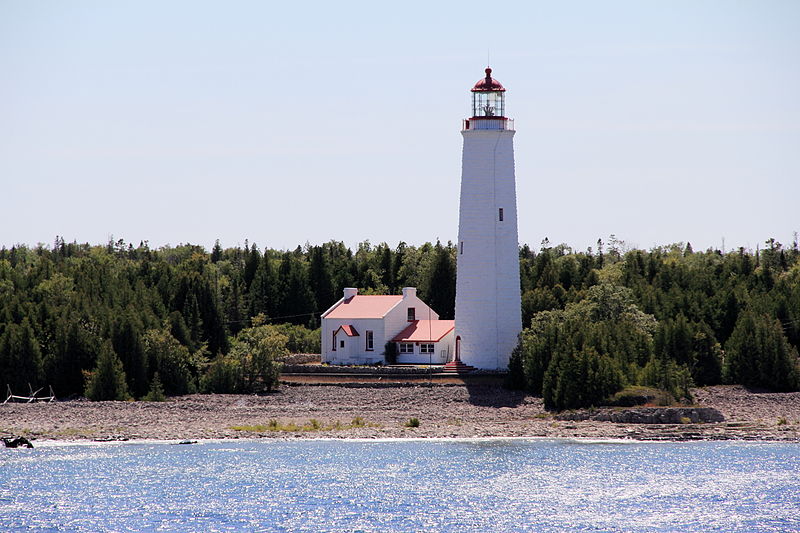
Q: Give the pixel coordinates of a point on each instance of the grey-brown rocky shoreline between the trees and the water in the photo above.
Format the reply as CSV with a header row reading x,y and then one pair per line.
x,y
386,411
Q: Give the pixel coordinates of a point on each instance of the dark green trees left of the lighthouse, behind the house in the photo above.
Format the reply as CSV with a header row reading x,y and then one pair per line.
x,y
119,321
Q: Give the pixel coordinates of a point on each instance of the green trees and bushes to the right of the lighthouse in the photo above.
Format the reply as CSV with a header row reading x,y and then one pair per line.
x,y
668,318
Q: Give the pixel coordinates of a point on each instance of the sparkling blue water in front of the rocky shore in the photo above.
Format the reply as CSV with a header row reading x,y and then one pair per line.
x,y
445,485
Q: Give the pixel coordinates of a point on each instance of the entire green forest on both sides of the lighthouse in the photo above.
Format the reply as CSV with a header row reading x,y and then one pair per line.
x,y
119,320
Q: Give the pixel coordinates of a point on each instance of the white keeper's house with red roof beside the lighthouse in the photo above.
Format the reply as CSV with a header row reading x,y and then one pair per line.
x,y
356,329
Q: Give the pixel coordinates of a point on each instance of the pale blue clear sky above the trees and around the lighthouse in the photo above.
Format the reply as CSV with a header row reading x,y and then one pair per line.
x,y
287,123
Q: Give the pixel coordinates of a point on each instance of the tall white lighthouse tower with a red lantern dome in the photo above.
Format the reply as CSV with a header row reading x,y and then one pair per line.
x,y
488,305
